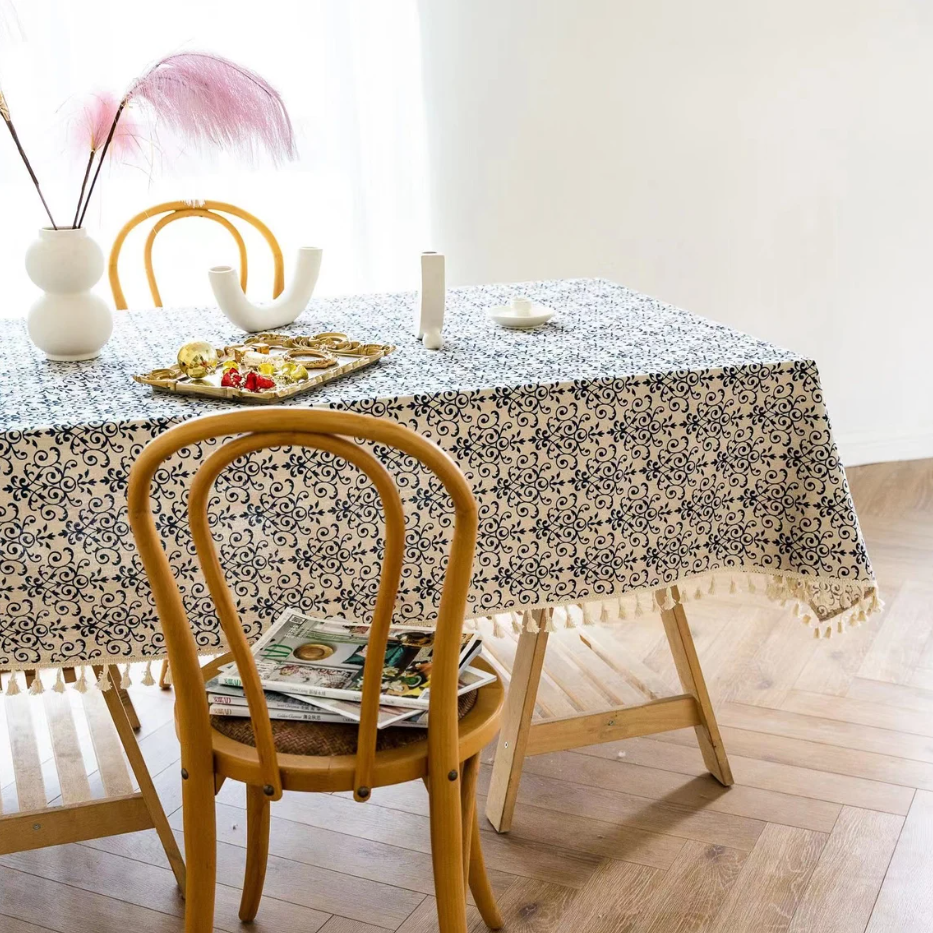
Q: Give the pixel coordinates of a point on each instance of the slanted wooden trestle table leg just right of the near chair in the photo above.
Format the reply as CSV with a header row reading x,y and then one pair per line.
x,y
516,724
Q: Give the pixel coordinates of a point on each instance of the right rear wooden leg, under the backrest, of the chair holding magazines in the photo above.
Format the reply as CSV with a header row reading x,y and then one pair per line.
x,y
447,853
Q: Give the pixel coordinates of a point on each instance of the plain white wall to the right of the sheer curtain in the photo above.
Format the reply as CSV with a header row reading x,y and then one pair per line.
x,y
766,164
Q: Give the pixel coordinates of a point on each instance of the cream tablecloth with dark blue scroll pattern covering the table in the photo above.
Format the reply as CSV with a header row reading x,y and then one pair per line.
x,y
626,445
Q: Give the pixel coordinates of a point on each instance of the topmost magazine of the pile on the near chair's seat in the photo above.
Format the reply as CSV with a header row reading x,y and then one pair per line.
x,y
322,658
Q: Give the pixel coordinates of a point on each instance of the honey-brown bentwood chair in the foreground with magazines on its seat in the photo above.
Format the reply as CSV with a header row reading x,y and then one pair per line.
x,y
270,757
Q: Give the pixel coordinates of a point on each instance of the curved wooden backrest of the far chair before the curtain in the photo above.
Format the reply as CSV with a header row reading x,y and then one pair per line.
x,y
176,210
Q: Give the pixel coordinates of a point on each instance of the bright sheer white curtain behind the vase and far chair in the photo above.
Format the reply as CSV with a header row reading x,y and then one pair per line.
x,y
350,73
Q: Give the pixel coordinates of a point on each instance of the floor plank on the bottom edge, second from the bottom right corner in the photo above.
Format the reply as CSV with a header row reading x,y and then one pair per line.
x,y
846,881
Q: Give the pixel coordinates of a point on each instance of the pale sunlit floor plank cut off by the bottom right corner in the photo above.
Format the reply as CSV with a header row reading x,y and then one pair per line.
x,y
905,902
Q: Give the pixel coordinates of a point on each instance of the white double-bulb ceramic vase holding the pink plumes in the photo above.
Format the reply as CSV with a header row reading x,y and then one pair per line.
x,y
68,322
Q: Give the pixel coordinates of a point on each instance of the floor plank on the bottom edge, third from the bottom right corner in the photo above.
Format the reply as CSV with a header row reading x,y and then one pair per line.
x,y
773,880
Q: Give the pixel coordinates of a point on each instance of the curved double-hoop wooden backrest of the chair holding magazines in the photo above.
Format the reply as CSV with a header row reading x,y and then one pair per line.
x,y
333,432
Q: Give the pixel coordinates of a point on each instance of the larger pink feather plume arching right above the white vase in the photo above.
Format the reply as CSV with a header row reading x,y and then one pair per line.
x,y
214,102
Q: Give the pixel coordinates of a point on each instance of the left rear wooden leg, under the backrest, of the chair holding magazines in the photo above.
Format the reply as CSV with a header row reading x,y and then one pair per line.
x,y
200,823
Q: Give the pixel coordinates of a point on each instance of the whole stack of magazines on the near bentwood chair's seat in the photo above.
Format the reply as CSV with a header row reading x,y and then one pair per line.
x,y
312,670
